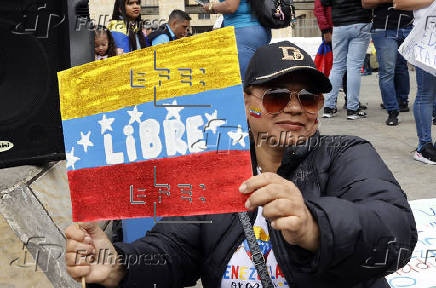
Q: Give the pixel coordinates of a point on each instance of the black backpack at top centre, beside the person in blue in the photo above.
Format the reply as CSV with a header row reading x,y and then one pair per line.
x,y
273,14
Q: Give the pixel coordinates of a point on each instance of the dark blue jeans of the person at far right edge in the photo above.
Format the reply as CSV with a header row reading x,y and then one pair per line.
x,y
423,108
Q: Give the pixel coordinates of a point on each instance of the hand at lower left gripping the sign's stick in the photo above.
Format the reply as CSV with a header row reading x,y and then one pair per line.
x,y
86,246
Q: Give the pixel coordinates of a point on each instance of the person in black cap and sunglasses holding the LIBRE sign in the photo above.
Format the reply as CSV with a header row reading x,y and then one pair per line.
x,y
325,210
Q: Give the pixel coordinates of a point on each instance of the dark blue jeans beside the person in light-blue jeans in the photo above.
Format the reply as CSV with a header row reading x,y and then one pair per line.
x,y
394,78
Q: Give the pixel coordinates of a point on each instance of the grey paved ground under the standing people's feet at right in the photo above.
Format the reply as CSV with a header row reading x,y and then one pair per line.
x,y
396,145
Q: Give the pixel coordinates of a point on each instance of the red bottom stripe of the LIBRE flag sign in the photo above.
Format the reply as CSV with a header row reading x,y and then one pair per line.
x,y
192,186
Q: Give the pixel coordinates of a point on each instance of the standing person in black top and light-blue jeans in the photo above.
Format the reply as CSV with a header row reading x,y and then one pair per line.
x,y
350,40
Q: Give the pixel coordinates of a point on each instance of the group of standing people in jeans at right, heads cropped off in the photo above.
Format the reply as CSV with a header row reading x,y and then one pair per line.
x,y
350,26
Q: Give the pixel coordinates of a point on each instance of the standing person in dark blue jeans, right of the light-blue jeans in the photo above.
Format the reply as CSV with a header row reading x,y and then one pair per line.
x,y
390,28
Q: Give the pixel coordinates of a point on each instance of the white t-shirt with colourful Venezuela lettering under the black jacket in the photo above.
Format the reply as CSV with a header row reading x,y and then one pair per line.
x,y
241,272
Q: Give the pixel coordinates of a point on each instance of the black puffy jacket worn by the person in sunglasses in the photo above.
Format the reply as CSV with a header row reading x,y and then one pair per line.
x,y
362,213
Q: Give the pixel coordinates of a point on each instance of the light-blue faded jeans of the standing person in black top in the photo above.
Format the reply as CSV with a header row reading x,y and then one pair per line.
x,y
349,49
